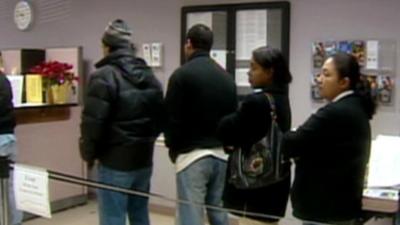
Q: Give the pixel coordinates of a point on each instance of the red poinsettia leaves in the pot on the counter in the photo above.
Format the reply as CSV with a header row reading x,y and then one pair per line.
x,y
55,72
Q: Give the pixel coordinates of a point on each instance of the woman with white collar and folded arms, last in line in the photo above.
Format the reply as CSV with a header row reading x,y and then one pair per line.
x,y
332,147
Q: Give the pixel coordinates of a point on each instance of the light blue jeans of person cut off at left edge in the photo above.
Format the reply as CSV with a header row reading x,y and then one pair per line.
x,y
8,147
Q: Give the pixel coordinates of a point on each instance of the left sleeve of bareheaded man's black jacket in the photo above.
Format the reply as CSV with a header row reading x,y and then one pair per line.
x,y
174,107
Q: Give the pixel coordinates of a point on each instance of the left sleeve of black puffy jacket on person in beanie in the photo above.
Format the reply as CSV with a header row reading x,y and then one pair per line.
x,y
96,110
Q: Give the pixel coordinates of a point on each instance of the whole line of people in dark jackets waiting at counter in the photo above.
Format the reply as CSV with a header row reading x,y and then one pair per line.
x,y
204,123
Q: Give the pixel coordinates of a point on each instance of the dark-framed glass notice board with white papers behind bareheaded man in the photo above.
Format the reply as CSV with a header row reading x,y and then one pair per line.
x,y
239,29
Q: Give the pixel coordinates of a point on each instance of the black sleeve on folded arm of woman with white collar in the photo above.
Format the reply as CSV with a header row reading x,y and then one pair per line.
x,y
297,143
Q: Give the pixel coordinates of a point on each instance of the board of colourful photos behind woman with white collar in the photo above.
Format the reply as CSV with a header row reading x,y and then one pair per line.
x,y
377,60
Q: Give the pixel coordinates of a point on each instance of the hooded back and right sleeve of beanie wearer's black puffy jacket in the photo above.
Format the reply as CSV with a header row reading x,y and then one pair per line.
x,y
135,119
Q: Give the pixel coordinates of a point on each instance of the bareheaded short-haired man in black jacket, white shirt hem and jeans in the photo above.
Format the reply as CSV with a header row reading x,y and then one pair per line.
x,y
199,94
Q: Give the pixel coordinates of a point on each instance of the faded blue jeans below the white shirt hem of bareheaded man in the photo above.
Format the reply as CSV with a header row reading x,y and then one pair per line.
x,y
202,182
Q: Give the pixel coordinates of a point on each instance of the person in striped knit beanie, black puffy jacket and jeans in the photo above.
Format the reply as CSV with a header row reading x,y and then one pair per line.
x,y
121,120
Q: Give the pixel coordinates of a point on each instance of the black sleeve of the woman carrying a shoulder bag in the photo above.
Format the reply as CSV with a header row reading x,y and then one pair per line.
x,y
243,126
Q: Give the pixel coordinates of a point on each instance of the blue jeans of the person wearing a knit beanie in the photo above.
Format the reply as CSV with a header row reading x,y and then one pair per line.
x,y
113,206
